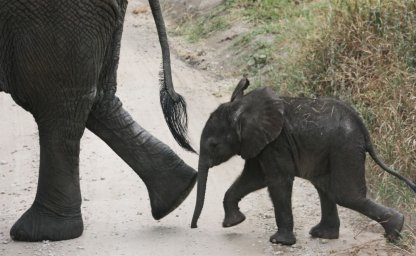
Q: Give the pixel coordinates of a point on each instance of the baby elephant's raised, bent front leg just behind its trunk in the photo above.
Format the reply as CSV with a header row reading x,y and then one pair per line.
x,y
251,179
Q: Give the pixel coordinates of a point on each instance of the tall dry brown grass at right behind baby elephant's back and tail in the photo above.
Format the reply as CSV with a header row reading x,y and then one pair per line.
x,y
367,56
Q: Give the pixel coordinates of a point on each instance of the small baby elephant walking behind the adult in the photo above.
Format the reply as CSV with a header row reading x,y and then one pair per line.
x,y
321,140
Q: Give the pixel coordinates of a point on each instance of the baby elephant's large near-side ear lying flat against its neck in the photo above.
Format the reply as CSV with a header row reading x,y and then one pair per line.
x,y
259,121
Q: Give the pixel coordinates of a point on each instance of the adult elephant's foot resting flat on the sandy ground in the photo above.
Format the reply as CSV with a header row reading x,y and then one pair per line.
x,y
39,223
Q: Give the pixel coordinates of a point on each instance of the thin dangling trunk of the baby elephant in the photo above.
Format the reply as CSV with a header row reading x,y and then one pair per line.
x,y
200,197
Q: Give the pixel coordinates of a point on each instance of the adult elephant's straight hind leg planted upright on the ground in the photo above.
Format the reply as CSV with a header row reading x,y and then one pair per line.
x,y
56,213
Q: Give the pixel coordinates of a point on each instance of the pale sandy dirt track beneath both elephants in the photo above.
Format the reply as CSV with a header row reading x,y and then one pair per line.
x,y
115,205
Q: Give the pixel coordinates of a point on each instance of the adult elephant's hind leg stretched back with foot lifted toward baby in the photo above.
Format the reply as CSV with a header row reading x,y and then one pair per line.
x,y
168,179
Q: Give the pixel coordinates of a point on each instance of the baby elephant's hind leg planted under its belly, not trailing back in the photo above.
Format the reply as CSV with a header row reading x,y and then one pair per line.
x,y
328,227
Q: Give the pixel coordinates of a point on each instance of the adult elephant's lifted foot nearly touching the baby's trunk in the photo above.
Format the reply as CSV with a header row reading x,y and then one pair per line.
x,y
169,189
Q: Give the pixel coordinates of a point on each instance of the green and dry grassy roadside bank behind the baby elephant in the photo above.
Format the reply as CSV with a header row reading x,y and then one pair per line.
x,y
360,51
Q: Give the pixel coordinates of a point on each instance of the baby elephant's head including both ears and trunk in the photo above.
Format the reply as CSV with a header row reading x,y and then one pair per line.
x,y
243,126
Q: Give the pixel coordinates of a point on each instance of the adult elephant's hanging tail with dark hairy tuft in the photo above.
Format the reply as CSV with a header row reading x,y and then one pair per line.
x,y
173,104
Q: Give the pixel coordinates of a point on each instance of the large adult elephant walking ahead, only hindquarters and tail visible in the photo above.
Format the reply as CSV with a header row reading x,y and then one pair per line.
x,y
58,60
